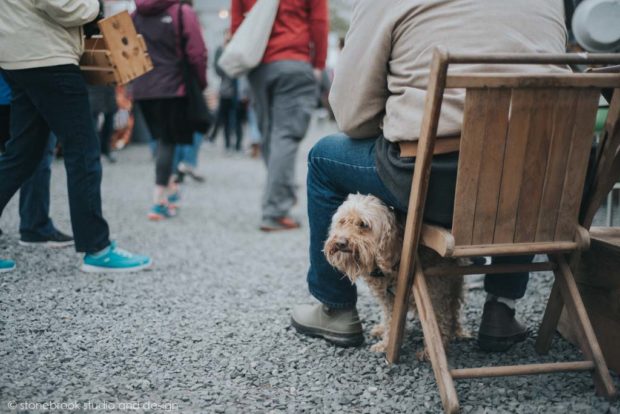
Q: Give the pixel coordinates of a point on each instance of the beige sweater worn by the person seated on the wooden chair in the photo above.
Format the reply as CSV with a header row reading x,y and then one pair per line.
x,y
382,73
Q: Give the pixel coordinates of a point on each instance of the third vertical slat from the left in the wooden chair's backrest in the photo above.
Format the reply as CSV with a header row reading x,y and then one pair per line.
x,y
514,166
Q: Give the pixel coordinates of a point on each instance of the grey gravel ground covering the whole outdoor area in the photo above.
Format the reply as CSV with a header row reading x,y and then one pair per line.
x,y
207,330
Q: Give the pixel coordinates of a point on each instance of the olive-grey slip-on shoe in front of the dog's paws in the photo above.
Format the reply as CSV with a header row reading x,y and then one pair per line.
x,y
341,327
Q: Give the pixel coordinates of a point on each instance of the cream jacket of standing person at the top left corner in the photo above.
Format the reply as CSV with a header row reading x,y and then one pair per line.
x,y
38,33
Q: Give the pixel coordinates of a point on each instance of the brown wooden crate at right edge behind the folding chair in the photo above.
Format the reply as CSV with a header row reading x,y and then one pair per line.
x,y
598,278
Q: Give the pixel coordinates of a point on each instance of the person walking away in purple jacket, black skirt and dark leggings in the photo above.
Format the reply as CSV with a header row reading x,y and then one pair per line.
x,y
160,93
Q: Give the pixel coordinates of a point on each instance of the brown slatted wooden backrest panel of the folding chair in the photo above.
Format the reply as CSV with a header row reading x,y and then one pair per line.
x,y
522,163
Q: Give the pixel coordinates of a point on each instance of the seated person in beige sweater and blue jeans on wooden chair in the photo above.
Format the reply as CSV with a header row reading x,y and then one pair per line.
x,y
378,99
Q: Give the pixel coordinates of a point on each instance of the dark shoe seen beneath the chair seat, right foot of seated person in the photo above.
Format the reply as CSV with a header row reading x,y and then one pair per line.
x,y
499,330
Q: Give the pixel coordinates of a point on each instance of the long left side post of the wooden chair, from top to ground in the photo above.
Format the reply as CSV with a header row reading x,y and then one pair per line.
x,y
417,199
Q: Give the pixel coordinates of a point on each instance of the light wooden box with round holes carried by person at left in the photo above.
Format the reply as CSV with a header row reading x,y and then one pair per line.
x,y
116,57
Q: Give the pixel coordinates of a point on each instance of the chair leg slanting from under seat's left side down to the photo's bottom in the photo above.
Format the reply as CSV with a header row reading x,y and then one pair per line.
x,y
433,342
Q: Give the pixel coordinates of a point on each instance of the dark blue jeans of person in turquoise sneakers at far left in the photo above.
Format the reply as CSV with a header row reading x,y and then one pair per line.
x,y
55,99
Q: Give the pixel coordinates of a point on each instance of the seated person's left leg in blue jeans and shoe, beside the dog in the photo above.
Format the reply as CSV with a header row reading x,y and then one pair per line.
x,y
337,166
